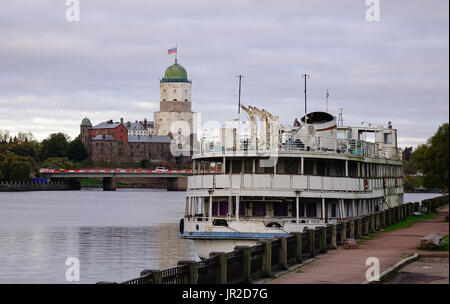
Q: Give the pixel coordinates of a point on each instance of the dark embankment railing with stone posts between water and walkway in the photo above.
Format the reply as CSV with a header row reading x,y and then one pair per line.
x,y
250,263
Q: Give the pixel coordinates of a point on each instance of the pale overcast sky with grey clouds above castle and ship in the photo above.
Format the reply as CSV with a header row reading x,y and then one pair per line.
x,y
108,65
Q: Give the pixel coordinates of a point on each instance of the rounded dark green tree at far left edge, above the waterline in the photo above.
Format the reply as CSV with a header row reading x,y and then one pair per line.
x,y
14,168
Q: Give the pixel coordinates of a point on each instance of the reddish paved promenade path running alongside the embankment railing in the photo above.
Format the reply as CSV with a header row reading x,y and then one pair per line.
x,y
347,266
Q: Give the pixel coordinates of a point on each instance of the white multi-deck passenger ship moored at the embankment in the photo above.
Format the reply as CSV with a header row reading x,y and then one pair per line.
x,y
258,179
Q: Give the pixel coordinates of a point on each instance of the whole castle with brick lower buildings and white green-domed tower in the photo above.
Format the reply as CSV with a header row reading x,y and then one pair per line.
x,y
171,130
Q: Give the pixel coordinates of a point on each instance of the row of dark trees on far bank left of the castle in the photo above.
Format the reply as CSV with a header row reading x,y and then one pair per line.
x,y
21,156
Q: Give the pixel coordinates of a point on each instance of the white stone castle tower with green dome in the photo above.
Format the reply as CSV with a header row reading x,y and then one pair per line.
x,y
175,115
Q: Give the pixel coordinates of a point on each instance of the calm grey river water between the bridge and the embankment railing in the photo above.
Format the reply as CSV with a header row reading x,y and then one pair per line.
x,y
114,235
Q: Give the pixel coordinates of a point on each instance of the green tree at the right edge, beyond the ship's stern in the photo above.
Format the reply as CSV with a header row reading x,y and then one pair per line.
x,y
432,159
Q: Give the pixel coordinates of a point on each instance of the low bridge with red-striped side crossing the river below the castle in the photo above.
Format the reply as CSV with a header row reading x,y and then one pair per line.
x,y
176,179
